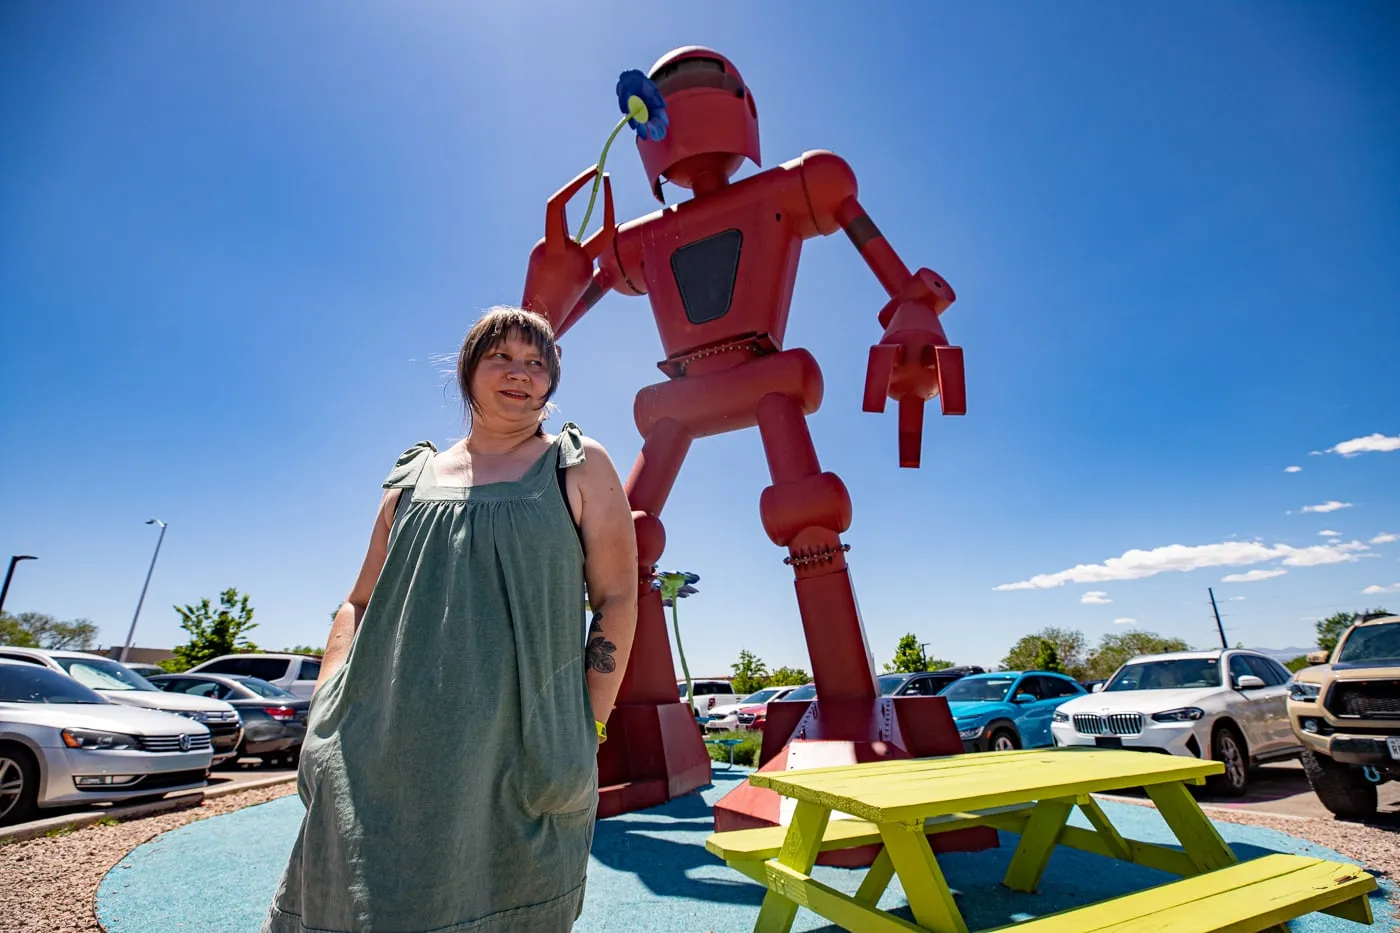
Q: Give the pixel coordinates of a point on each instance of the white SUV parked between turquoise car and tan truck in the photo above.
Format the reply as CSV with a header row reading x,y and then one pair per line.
x,y
1228,707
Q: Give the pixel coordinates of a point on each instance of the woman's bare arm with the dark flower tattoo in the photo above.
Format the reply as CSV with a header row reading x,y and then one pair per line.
x,y
611,571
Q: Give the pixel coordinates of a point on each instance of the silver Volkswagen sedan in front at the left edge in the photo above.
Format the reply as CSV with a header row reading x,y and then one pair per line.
x,y
62,745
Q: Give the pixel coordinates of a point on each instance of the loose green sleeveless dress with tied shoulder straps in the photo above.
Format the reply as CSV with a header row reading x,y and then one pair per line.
x,y
450,767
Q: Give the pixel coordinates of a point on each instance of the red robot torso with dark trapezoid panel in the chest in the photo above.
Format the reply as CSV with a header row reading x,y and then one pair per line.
x,y
719,277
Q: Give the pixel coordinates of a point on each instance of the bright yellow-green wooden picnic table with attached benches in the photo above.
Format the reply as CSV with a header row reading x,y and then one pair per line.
x,y
1032,794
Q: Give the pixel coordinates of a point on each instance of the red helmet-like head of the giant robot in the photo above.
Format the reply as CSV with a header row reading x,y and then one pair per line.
x,y
715,124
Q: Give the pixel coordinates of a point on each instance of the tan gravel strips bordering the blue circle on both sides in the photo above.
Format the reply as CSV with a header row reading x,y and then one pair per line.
x,y
50,885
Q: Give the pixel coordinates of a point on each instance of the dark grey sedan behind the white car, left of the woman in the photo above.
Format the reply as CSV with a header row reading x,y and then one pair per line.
x,y
275,722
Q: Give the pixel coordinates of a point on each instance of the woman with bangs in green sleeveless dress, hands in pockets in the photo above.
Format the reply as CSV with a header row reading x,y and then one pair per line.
x,y
450,766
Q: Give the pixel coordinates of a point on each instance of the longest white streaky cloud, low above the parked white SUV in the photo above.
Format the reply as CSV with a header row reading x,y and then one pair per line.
x,y
1136,565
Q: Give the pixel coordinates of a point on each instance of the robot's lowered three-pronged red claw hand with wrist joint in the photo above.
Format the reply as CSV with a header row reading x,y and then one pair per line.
x,y
913,361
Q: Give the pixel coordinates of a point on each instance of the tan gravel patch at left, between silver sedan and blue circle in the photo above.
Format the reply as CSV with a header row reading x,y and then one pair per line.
x,y
50,885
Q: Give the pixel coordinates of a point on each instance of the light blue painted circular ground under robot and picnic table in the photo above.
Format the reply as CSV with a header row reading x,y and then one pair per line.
x,y
650,872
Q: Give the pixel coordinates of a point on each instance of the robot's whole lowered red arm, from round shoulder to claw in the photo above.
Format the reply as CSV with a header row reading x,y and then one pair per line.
x,y
913,361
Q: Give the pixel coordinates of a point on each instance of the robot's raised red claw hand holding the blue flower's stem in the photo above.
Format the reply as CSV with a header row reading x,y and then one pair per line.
x,y
561,282
